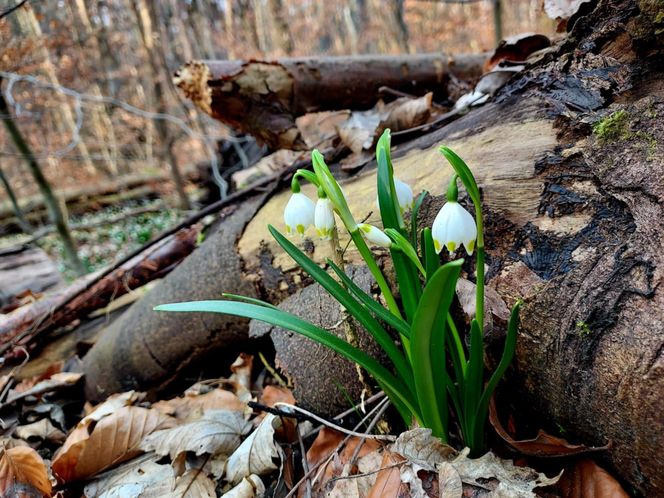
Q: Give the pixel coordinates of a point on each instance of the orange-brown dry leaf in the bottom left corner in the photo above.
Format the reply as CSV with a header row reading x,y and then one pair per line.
x,y
23,473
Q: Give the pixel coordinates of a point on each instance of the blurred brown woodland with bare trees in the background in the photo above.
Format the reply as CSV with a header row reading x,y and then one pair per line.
x,y
87,85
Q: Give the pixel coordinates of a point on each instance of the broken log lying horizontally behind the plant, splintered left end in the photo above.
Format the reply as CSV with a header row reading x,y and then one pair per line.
x,y
263,98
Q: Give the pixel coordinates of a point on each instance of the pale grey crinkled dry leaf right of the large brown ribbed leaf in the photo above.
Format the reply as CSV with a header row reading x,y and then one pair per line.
x,y
217,432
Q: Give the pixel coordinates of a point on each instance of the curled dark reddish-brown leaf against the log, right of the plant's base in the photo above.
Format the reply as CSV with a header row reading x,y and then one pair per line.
x,y
543,445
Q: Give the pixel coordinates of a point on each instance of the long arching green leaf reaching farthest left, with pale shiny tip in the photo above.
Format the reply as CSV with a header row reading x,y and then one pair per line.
x,y
393,387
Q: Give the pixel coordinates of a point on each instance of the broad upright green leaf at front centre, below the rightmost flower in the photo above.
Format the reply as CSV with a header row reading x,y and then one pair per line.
x,y
428,329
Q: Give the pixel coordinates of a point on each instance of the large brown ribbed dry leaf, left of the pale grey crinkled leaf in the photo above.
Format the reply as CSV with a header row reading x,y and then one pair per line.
x,y
114,439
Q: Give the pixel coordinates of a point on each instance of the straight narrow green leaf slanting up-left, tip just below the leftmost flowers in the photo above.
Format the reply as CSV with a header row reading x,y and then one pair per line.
x,y
347,301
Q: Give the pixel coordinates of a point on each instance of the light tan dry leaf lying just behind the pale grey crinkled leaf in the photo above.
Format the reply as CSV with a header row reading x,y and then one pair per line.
x,y
192,406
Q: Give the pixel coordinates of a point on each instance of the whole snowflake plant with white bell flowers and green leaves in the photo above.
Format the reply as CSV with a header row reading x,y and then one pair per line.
x,y
433,371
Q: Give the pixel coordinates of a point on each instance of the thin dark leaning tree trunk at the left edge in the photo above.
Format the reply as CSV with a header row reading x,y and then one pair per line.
x,y
55,212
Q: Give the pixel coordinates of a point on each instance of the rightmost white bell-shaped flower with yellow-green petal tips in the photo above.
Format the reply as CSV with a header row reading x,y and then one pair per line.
x,y
452,227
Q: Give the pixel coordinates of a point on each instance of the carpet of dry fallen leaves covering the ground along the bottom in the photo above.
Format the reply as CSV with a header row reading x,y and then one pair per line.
x,y
209,442
